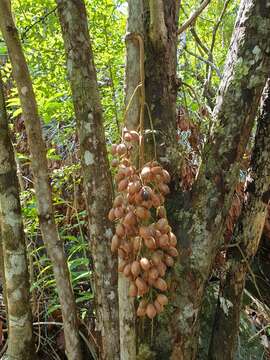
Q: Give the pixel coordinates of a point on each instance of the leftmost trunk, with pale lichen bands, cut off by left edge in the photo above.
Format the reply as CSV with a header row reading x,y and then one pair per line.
x,y
16,279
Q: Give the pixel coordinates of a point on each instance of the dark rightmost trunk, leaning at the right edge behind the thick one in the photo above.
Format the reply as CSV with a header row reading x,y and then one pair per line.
x,y
246,239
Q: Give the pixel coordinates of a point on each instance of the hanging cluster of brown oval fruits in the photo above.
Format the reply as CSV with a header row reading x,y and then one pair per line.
x,y
143,238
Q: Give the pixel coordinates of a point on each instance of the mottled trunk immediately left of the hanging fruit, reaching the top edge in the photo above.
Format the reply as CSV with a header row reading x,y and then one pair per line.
x,y
96,172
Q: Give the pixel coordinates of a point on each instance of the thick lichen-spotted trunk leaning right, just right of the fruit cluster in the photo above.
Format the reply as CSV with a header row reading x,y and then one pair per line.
x,y
203,214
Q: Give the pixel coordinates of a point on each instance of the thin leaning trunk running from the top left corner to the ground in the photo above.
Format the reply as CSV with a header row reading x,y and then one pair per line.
x,y
41,181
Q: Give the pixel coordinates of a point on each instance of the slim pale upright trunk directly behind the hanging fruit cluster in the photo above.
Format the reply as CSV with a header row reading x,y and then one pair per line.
x,y
132,102
